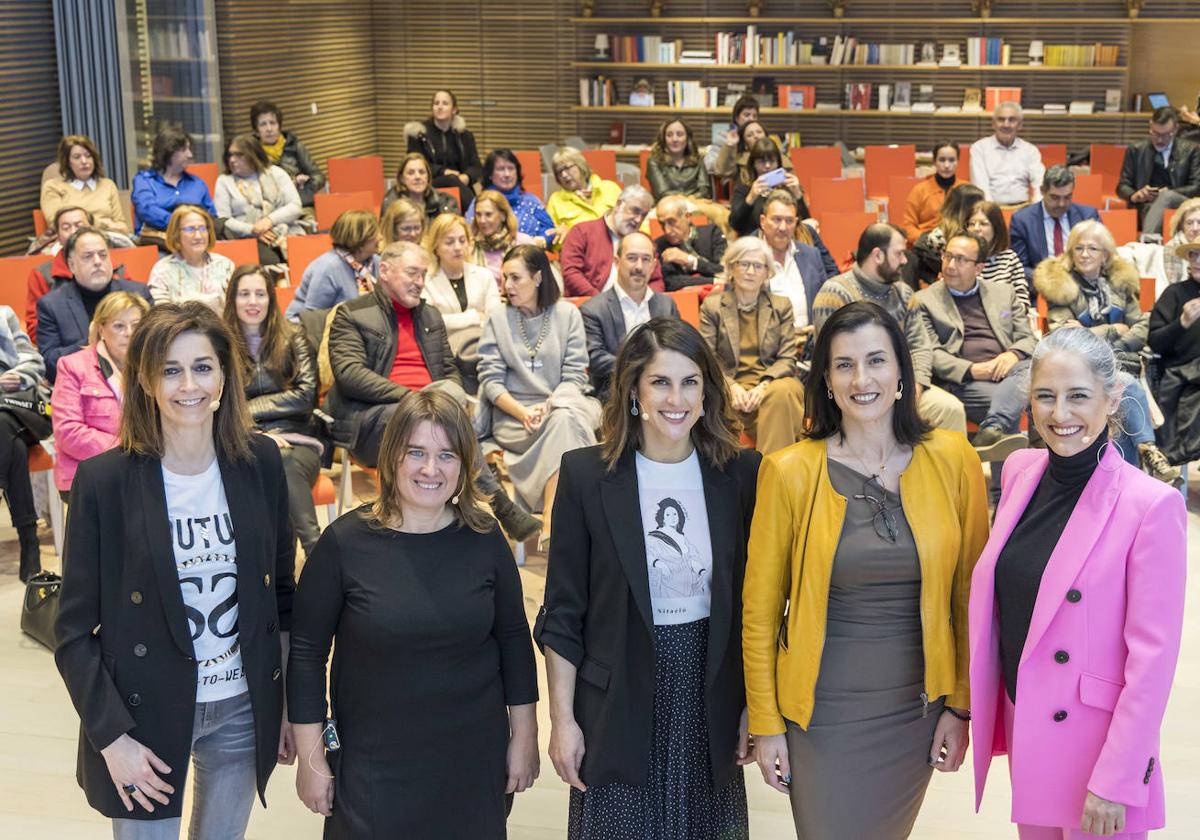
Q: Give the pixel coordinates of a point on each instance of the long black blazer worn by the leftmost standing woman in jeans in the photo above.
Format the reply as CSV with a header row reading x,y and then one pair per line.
x,y
124,640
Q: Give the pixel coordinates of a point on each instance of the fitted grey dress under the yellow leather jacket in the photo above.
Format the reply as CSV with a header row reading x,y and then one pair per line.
x,y
862,767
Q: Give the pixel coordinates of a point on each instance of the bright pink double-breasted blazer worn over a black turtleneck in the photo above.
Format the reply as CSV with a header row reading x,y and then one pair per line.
x,y
1112,599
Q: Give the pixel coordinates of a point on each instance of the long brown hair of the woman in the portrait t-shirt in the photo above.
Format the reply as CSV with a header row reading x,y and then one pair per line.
x,y
716,434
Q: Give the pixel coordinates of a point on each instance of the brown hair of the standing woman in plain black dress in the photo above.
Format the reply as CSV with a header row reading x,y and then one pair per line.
x,y
447,415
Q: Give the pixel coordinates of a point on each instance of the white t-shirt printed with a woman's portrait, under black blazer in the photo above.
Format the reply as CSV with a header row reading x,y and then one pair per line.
x,y
679,549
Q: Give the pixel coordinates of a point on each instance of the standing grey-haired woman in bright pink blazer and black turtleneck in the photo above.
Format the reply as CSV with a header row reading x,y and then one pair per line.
x,y
1076,613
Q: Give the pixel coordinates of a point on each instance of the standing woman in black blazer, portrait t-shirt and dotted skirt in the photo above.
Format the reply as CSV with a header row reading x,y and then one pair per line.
x,y
641,626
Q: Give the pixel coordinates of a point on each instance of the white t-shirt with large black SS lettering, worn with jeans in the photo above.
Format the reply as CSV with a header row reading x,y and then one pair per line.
x,y
206,560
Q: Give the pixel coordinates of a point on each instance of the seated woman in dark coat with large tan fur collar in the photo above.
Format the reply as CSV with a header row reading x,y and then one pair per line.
x,y
1090,286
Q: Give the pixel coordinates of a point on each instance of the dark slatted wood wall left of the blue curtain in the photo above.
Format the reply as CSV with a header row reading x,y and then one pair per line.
x,y
31,121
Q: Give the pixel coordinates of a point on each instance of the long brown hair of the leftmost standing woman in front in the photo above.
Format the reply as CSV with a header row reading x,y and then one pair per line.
x,y
141,422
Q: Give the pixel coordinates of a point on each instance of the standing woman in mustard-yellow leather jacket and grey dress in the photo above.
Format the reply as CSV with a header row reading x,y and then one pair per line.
x,y
855,608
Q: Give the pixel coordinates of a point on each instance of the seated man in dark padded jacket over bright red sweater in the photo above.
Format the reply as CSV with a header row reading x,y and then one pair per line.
x,y
387,344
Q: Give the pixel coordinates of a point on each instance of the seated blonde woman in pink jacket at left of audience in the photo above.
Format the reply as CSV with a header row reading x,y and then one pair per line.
x,y
89,389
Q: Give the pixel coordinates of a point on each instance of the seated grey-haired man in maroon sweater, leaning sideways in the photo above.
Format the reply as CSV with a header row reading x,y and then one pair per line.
x,y
589,251
